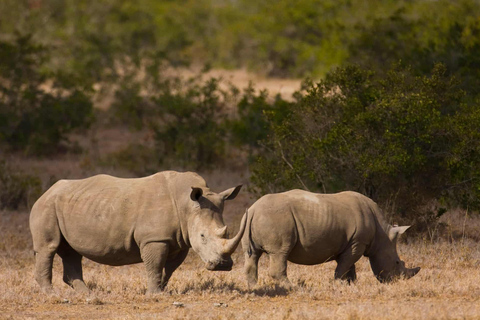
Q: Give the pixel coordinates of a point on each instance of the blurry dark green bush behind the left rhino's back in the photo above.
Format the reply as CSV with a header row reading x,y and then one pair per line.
x,y
186,117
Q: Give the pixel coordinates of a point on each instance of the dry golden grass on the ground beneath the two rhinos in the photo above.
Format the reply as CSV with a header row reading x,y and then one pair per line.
x,y
447,287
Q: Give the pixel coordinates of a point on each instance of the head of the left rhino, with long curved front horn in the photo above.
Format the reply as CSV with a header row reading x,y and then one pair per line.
x,y
207,231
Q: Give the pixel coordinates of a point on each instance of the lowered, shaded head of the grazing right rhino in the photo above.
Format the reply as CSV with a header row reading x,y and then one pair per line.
x,y
385,263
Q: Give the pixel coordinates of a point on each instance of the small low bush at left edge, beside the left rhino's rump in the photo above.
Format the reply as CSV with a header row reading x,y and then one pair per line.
x,y
16,188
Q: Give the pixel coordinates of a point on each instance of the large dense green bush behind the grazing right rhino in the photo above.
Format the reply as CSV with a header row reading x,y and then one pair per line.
x,y
398,138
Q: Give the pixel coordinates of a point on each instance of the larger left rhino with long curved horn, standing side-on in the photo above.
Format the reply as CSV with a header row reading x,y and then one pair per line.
x,y
117,222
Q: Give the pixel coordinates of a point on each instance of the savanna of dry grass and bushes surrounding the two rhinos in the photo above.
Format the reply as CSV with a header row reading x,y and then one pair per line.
x,y
380,97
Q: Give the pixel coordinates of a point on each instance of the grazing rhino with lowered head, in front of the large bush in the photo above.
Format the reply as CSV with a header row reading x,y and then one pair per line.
x,y
308,228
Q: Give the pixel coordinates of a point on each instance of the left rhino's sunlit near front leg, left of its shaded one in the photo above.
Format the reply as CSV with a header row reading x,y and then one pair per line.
x,y
154,256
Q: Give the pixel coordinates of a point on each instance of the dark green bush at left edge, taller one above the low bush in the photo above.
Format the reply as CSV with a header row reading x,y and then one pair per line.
x,y
37,110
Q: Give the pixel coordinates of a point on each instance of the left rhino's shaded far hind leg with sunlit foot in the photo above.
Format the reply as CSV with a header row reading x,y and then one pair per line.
x,y
72,268
